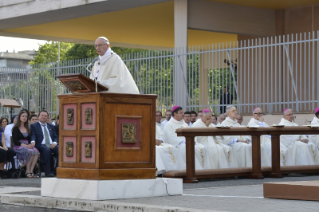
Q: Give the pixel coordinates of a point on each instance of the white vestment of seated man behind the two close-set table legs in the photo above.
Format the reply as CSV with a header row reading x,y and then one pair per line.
x,y
265,144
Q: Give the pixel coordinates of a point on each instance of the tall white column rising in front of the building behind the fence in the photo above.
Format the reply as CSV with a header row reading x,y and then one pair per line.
x,y
180,37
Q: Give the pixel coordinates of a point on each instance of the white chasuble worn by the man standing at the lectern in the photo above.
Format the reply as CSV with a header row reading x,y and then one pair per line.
x,y
114,75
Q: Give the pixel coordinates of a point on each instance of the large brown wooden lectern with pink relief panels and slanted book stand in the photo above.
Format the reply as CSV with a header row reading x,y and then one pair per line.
x,y
105,136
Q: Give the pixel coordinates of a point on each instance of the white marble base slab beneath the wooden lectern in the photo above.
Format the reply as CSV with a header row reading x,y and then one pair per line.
x,y
110,189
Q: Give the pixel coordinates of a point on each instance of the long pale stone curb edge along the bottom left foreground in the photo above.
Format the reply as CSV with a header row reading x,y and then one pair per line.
x,y
82,205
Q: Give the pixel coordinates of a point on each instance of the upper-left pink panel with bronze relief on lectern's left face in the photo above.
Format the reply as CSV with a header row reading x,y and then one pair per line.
x,y
69,116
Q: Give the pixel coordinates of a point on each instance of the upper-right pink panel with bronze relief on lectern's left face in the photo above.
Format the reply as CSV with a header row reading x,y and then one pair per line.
x,y
88,116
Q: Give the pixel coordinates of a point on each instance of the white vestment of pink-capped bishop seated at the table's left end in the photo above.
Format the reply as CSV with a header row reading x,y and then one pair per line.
x,y
170,136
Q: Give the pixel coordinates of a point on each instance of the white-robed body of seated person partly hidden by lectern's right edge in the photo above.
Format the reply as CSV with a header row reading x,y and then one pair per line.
x,y
168,157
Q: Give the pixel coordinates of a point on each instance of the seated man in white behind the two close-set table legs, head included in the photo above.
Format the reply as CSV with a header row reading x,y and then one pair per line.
x,y
265,140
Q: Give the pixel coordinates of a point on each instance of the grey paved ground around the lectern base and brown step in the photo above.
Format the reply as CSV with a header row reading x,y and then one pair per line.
x,y
214,195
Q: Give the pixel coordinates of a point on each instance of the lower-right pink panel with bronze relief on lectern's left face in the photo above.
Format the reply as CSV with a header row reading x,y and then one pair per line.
x,y
88,146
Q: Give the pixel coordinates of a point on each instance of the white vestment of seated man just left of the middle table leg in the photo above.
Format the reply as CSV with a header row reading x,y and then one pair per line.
x,y
242,151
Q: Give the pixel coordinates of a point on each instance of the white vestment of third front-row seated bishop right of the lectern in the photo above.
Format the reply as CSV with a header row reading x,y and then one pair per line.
x,y
220,155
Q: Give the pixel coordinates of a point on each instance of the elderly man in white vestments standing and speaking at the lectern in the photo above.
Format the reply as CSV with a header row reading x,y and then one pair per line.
x,y
110,71
